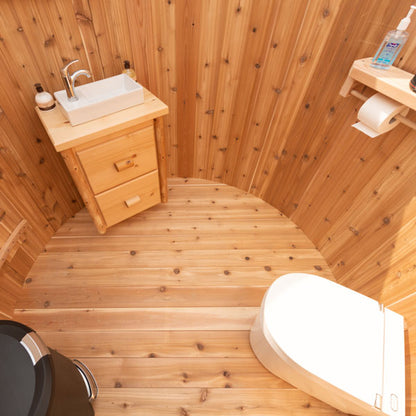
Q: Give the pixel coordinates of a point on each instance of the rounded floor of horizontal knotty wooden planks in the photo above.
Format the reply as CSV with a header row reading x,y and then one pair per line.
x,y
160,307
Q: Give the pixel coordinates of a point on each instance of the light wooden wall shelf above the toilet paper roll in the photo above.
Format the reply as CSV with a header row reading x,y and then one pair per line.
x,y
393,83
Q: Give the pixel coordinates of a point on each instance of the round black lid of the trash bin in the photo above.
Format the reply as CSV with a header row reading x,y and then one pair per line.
x,y
25,383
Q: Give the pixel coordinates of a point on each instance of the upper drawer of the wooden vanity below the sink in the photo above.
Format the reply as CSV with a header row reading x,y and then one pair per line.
x,y
119,160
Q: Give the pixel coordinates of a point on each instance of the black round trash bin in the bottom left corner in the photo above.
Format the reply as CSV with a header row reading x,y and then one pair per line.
x,y
36,381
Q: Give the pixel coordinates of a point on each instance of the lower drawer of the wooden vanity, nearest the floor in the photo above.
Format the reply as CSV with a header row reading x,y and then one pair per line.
x,y
130,198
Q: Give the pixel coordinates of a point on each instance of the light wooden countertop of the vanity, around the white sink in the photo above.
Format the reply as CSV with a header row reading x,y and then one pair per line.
x,y
64,136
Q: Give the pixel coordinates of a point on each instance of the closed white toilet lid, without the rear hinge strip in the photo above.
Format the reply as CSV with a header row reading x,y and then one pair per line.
x,y
328,330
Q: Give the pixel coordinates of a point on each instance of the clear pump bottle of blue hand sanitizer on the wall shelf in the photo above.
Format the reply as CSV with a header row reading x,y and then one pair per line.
x,y
392,44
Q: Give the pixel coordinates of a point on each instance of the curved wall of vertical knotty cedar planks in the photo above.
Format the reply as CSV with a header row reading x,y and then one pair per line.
x,y
252,87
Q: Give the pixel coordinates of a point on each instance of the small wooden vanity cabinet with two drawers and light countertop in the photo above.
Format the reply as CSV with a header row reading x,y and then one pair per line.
x,y
118,162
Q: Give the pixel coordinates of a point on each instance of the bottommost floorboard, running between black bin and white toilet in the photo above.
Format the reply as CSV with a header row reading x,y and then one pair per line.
x,y
204,402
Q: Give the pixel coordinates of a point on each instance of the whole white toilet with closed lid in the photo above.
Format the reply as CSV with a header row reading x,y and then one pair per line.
x,y
333,343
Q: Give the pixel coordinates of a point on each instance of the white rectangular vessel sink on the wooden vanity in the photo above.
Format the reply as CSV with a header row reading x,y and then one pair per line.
x,y
100,98
